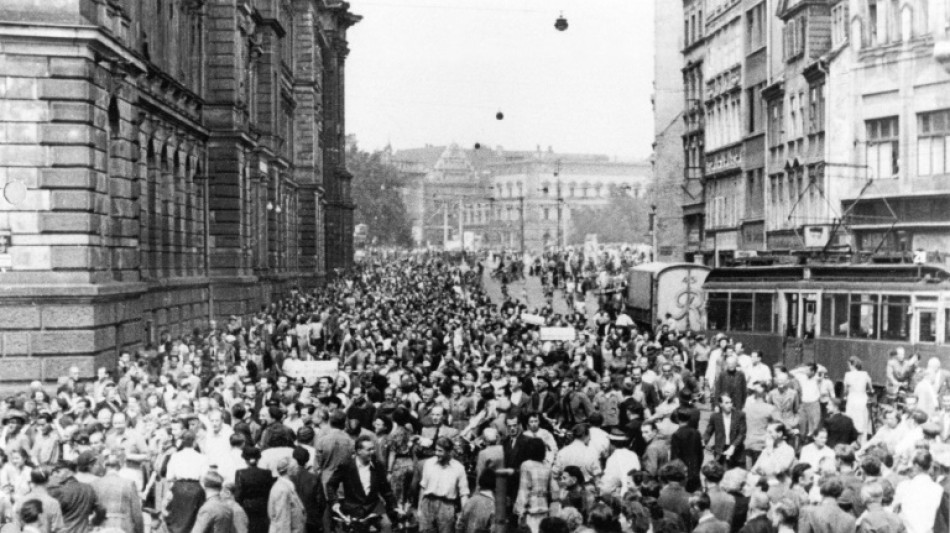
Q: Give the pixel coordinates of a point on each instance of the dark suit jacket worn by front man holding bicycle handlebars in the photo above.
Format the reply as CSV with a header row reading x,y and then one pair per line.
x,y
357,502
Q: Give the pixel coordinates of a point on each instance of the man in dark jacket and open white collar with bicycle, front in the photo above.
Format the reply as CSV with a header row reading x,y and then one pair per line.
x,y
365,482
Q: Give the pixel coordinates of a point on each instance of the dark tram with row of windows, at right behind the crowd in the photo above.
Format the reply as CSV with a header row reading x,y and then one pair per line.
x,y
826,313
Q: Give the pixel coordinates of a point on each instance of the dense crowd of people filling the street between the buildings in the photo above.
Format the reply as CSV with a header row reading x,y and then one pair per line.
x,y
434,408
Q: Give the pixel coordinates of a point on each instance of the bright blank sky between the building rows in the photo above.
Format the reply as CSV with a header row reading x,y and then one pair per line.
x,y
437,71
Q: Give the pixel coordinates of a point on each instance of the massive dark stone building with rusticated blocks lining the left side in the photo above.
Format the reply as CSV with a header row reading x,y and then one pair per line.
x,y
163,161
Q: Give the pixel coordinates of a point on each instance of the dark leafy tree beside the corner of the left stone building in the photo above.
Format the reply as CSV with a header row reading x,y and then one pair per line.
x,y
376,189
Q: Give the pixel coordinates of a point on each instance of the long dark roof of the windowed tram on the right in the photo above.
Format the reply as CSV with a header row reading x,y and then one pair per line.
x,y
886,273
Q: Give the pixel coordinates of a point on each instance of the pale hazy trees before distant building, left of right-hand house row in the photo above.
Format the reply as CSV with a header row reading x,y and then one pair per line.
x,y
623,219
